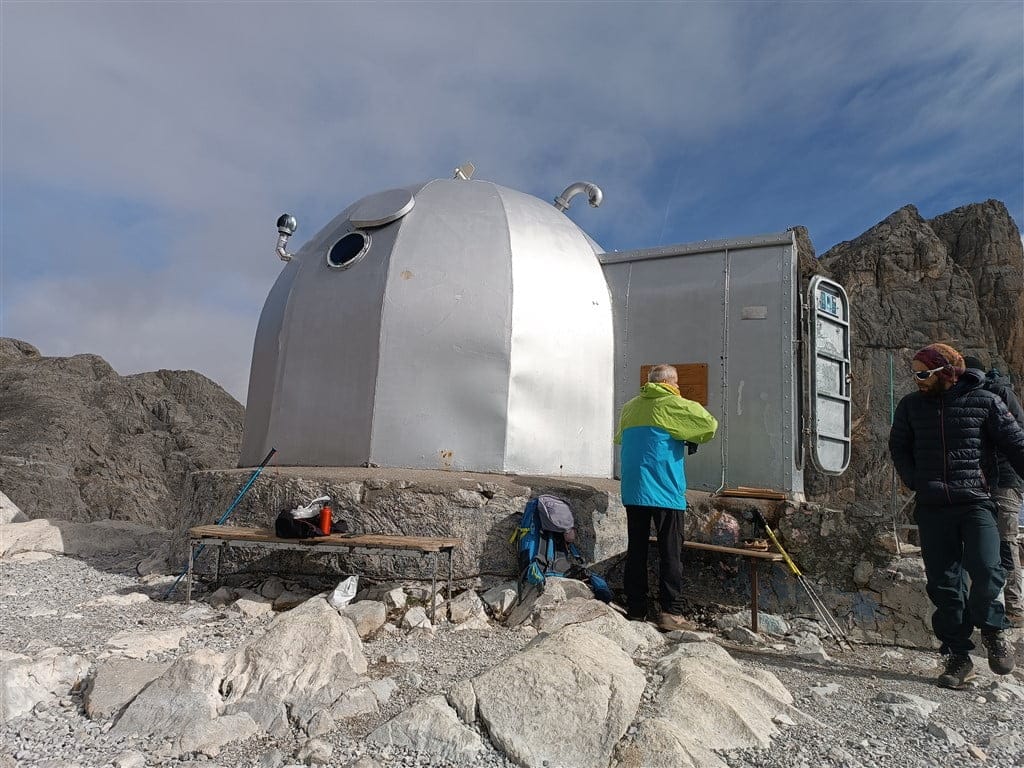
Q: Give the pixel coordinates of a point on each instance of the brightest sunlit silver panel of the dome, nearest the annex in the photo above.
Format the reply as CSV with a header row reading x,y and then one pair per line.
x,y
561,392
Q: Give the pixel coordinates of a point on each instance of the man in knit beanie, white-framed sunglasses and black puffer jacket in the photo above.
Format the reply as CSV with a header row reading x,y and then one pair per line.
x,y
944,443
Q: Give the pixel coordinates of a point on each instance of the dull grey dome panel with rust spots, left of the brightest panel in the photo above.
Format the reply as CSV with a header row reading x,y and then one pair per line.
x,y
443,392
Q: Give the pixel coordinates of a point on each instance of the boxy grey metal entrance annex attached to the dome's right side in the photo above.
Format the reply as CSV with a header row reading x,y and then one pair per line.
x,y
734,306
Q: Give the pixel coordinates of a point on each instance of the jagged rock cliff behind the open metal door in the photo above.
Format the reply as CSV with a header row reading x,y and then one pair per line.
x,y
959,279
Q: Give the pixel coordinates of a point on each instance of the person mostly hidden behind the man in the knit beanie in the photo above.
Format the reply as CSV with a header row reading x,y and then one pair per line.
x,y
1008,497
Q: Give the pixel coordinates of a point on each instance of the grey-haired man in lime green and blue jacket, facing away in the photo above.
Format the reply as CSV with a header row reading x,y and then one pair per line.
x,y
654,431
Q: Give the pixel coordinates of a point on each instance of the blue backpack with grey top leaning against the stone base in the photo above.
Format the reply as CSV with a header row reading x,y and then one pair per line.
x,y
546,547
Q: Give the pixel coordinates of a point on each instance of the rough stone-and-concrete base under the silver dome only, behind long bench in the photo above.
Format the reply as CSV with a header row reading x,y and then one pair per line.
x,y
482,509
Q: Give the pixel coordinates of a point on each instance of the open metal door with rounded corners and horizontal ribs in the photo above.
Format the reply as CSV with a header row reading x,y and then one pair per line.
x,y
829,375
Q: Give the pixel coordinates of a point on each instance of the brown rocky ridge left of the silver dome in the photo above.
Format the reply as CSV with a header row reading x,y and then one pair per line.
x,y
82,443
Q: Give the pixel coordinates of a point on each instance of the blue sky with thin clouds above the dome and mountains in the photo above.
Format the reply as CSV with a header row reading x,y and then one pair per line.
x,y
148,149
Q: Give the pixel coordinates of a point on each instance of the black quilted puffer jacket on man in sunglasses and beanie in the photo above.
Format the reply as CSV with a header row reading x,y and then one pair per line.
x,y
945,448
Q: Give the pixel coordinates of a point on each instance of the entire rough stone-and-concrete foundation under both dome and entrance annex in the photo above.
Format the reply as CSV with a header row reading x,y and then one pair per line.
x,y
484,510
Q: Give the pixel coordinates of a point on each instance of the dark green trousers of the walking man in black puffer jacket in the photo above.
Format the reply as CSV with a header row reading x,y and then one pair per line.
x,y
959,542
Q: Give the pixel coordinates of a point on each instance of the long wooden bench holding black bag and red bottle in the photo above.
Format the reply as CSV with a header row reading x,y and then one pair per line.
x,y
231,536
